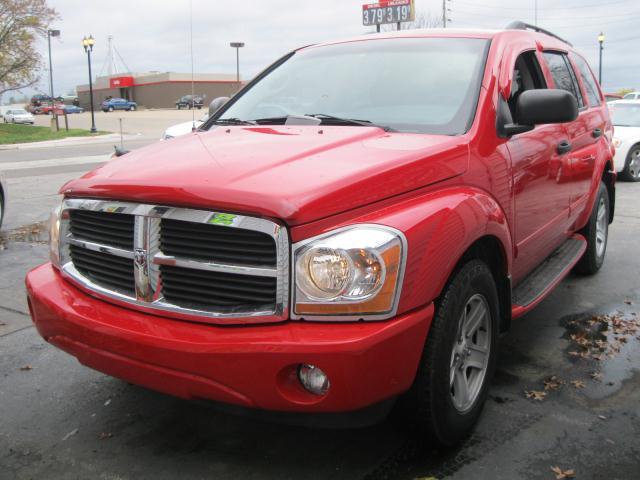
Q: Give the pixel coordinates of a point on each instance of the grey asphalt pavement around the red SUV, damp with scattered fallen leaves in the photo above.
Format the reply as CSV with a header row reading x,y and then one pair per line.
x,y
566,395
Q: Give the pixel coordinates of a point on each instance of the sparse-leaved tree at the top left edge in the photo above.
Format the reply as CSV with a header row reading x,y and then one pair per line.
x,y
21,23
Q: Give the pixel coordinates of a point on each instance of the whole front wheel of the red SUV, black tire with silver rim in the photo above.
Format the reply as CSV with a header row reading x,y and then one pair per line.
x,y
435,405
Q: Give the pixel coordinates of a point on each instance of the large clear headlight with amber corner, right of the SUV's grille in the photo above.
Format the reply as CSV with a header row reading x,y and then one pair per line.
x,y
352,273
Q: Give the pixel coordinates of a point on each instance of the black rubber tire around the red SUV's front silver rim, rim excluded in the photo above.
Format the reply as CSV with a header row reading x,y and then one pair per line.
x,y
428,406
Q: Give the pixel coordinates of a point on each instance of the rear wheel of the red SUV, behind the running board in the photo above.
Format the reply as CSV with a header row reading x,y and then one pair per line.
x,y
596,232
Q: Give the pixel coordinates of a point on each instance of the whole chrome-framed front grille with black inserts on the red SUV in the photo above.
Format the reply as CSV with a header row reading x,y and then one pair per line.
x,y
191,264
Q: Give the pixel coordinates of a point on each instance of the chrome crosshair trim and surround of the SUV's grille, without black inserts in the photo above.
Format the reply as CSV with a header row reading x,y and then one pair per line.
x,y
147,258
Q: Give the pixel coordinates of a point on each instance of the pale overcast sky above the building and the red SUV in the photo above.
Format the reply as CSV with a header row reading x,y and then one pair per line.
x,y
153,35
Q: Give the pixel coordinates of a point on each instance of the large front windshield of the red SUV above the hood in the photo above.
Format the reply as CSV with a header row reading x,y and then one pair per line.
x,y
419,85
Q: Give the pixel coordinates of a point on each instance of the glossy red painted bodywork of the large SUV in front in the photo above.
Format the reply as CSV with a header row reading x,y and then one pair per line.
x,y
443,192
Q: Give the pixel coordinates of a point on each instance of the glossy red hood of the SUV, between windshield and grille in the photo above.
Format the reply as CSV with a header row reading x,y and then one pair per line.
x,y
298,174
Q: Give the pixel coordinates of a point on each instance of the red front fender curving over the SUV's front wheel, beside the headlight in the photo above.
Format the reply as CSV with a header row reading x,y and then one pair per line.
x,y
439,226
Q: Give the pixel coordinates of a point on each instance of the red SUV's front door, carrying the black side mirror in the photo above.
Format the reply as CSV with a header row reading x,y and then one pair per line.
x,y
541,195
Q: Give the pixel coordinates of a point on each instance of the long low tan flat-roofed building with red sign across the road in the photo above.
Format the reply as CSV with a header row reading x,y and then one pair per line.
x,y
157,89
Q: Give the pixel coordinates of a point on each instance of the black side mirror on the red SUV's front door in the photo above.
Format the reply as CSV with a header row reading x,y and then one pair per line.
x,y
537,107
